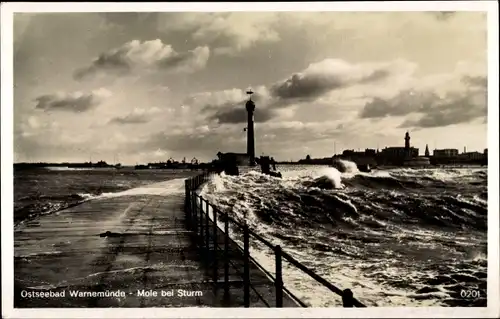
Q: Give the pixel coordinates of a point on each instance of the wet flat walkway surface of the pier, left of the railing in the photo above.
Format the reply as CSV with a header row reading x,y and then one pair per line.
x,y
149,252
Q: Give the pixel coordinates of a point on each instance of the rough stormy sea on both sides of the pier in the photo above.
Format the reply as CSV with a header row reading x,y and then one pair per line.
x,y
395,237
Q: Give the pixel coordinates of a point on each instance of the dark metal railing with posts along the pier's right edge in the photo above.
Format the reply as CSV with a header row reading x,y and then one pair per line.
x,y
209,234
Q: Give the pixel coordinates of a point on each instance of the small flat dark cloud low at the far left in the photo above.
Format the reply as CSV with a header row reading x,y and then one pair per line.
x,y
74,102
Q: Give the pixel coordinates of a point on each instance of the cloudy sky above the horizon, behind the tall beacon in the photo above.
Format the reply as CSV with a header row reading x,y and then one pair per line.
x,y
145,87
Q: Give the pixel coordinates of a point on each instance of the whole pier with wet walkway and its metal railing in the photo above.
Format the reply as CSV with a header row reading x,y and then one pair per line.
x,y
149,250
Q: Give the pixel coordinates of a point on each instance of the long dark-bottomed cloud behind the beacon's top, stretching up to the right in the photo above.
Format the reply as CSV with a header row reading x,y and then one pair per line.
x,y
318,79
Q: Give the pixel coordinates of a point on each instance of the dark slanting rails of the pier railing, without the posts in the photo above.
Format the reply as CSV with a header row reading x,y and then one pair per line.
x,y
192,184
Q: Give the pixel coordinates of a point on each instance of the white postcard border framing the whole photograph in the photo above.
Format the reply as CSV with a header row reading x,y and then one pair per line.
x,y
7,10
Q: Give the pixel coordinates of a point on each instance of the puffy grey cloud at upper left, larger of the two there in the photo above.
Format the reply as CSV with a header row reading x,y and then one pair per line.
x,y
135,55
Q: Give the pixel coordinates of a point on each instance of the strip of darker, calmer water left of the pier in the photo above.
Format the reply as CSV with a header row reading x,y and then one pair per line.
x,y
46,190
